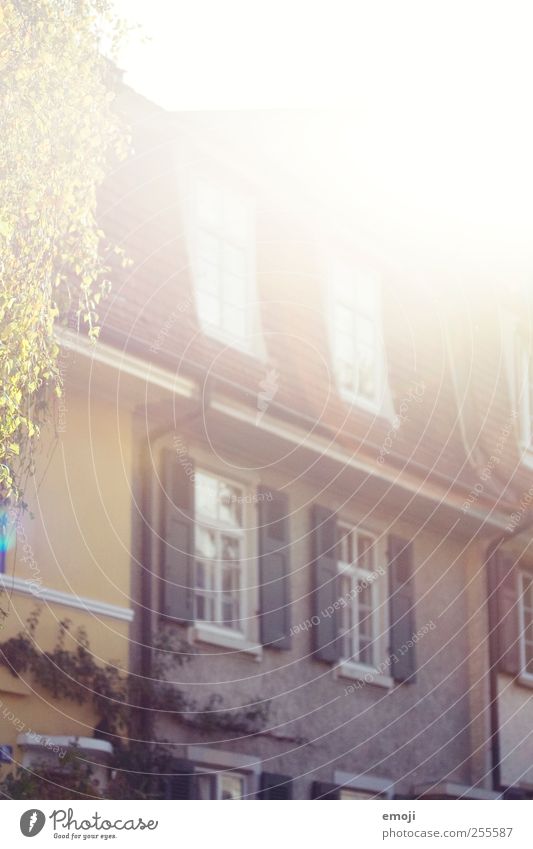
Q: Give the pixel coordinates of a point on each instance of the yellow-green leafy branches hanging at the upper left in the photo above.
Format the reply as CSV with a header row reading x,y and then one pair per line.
x,y
59,136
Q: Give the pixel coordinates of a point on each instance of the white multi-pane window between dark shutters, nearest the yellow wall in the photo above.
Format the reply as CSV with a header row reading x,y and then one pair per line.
x,y
219,551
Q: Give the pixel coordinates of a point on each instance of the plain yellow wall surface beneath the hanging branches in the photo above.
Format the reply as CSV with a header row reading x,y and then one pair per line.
x,y
78,542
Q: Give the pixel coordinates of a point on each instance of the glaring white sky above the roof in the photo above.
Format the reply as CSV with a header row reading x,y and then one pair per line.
x,y
440,149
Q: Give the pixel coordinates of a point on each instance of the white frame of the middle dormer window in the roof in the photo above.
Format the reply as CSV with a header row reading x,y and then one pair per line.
x,y
380,403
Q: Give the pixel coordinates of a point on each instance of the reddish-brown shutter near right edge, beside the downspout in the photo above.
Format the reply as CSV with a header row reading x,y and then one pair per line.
x,y
503,584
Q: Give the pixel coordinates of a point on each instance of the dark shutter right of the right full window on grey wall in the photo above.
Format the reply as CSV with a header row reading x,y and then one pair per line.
x,y
401,610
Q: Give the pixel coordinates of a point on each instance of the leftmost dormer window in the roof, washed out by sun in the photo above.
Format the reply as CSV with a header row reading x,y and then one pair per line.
x,y
223,258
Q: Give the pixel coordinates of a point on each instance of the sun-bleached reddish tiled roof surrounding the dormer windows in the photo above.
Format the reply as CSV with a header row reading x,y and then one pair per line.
x,y
438,334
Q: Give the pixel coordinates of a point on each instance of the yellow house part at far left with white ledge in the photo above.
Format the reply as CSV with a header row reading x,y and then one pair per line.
x,y
56,588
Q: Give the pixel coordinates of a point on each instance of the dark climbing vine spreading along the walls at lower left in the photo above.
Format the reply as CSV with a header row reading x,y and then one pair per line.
x,y
121,702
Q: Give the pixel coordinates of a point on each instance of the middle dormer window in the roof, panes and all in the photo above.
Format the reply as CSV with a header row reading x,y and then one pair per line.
x,y
356,335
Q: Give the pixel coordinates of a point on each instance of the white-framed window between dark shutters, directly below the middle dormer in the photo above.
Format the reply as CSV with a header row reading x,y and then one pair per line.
x,y
359,592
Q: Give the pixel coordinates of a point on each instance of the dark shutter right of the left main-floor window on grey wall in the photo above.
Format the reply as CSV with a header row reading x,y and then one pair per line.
x,y
274,569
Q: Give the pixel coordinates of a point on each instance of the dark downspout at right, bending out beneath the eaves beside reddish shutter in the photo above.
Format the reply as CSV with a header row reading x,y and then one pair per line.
x,y
493,654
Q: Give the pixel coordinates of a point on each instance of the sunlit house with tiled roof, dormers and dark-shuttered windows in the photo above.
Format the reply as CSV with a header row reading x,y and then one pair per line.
x,y
305,473
